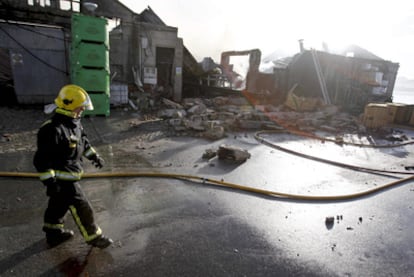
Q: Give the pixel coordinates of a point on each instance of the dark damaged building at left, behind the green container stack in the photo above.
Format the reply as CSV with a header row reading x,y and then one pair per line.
x,y
36,38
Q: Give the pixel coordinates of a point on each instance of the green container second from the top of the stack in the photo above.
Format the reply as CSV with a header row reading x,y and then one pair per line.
x,y
90,55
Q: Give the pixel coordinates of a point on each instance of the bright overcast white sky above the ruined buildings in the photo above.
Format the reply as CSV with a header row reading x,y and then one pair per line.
x,y
386,28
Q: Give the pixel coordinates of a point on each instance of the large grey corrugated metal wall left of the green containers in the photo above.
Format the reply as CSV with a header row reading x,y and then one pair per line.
x,y
38,60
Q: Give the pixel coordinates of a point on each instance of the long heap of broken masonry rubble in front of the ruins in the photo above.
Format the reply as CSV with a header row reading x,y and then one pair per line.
x,y
213,118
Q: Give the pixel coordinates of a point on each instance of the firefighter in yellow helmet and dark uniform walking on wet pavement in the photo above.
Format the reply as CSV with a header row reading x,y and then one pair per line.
x,y
61,146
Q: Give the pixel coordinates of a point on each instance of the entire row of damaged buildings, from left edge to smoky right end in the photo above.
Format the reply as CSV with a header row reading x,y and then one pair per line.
x,y
146,55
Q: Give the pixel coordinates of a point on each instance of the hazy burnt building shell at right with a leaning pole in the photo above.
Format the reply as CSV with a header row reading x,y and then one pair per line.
x,y
342,80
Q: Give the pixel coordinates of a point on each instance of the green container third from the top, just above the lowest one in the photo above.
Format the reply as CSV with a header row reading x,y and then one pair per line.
x,y
92,80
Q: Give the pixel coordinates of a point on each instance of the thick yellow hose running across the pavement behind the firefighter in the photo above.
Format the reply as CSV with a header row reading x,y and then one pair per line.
x,y
208,181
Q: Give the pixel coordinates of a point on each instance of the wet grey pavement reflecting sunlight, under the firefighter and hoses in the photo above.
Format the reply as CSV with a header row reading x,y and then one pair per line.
x,y
171,227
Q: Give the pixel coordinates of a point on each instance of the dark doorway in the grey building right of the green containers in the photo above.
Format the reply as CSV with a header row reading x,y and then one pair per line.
x,y
165,61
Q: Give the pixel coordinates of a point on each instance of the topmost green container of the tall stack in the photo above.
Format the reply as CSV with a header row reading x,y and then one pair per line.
x,y
89,29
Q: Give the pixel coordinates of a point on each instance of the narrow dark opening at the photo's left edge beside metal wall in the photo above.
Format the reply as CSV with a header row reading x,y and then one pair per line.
x,y
7,94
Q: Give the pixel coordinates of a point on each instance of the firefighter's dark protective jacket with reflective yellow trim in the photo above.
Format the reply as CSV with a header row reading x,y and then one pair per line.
x,y
61,144
